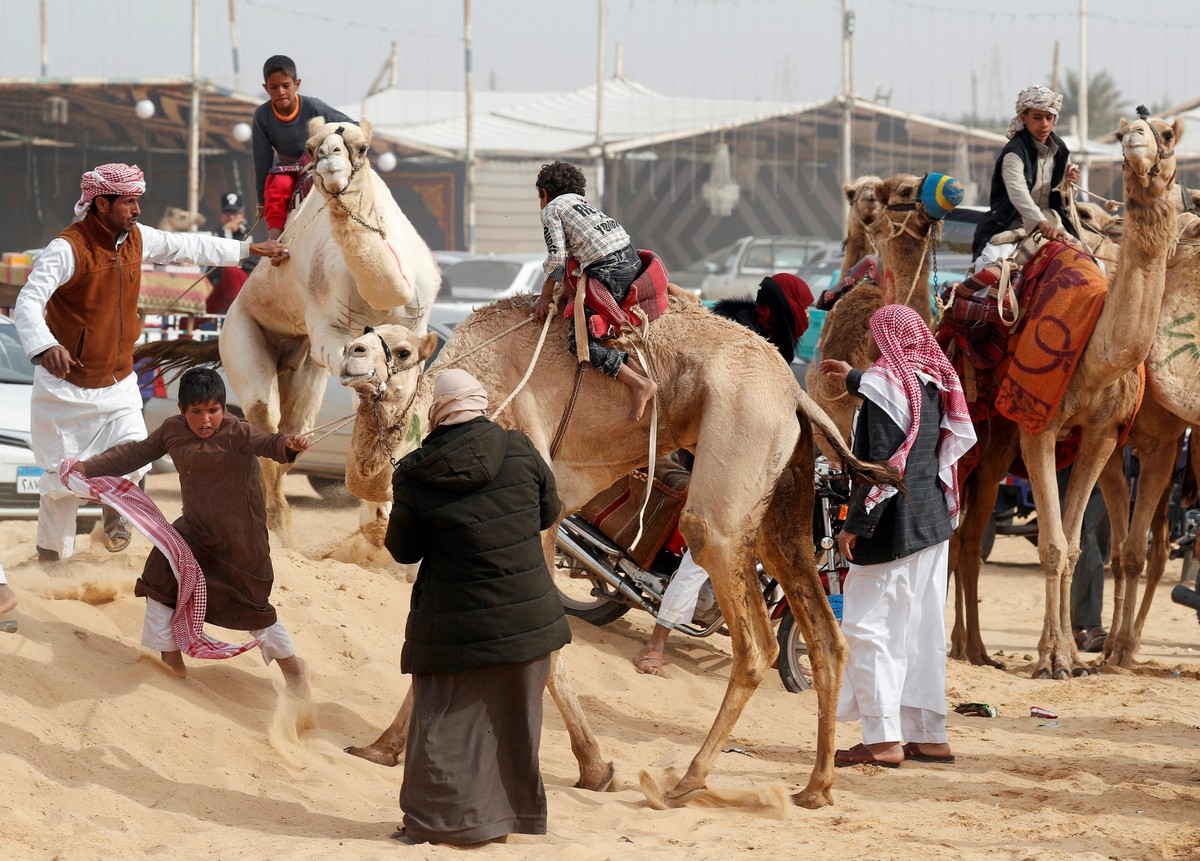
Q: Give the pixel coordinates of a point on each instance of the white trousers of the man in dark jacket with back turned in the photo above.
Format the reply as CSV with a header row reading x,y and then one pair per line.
x,y
893,621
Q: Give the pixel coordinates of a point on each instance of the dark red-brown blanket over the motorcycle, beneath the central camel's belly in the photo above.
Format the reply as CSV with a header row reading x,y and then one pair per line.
x,y
616,511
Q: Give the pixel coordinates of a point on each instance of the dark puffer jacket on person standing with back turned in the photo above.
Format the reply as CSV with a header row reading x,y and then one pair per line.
x,y
470,505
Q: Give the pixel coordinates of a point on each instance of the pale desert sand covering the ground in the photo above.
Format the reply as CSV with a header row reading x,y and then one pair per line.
x,y
106,756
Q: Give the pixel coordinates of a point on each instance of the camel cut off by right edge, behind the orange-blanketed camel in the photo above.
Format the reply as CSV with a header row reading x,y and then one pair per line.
x,y
1172,404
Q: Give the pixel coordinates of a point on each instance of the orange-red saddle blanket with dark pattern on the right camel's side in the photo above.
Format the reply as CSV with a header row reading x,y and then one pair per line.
x,y
1063,293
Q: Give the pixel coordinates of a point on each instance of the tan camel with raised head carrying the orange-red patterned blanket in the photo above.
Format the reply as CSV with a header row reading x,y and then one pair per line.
x,y
1103,392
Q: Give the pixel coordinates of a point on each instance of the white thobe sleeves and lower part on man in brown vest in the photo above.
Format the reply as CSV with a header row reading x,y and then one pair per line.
x,y
73,422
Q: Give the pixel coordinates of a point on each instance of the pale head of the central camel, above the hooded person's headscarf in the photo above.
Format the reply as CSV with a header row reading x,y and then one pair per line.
x,y
386,360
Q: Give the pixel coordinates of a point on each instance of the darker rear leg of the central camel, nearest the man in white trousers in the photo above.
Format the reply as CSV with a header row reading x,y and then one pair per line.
x,y
788,553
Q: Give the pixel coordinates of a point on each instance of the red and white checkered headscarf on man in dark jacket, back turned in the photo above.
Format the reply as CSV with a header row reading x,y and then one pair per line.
x,y
910,359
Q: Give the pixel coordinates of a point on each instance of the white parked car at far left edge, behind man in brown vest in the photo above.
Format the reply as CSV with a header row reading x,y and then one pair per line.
x,y
20,473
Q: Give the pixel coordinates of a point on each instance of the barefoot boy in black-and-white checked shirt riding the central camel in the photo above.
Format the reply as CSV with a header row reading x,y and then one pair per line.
x,y
602,248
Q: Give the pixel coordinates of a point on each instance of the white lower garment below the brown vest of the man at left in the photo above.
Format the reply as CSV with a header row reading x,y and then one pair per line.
x,y
69,422
